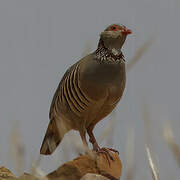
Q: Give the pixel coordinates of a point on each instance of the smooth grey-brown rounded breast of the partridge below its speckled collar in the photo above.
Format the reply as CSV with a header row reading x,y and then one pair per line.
x,y
97,77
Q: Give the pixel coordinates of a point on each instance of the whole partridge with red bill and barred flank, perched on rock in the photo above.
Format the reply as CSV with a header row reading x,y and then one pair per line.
x,y
89,91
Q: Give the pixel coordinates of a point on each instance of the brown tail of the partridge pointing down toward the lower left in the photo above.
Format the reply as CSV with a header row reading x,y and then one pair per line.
x,y
53,137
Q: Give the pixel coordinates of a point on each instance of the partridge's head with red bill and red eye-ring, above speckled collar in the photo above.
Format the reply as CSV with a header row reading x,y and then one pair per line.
x,y
114,36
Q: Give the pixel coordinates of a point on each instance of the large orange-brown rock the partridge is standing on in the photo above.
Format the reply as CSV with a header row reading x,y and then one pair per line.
x,y
96,164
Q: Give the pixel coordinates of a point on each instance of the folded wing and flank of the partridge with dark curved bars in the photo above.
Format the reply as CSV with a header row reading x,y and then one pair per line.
x,y
69,93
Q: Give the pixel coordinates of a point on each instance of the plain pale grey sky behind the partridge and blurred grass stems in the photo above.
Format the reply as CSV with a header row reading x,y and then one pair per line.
x,y
40,39
